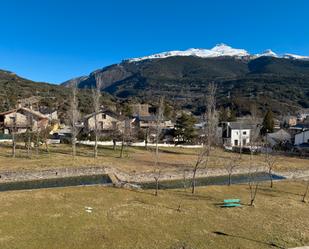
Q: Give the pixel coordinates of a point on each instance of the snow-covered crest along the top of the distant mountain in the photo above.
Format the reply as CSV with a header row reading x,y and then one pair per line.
x,y
218,51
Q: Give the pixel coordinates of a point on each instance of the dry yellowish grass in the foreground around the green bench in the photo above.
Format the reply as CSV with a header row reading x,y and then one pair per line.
x,y
124,219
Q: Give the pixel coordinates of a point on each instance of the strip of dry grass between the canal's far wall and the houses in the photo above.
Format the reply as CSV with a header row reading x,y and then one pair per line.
x,y
135,159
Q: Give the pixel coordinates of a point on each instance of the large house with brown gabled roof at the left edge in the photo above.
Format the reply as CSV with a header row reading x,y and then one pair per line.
x,y
21,119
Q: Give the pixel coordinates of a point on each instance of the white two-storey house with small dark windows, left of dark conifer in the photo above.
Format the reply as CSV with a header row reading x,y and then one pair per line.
x,y
237,134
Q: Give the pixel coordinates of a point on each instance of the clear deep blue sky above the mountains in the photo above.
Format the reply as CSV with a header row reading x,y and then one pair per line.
x,y
55,40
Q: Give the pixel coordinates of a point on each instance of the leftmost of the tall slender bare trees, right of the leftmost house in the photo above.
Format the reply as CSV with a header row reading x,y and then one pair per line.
x,y
74,116
